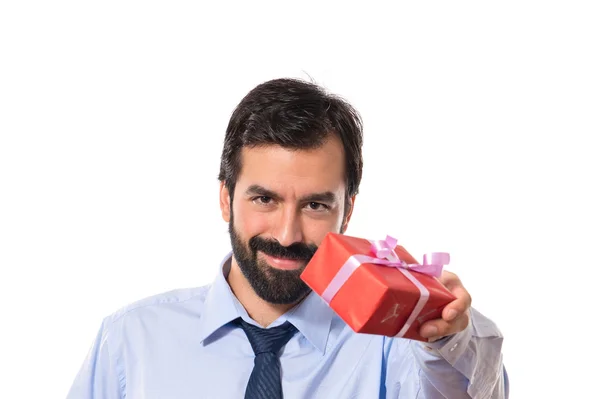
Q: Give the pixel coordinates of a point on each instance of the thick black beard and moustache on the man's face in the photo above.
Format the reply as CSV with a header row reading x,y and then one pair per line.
x,y
271,284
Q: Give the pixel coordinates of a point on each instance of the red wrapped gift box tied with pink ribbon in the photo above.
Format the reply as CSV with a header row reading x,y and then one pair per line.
x,y
375,298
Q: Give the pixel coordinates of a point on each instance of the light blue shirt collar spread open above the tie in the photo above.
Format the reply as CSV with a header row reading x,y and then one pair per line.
x,y
312,317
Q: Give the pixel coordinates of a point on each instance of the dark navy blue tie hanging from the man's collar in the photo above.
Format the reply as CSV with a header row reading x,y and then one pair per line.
x,y
265,380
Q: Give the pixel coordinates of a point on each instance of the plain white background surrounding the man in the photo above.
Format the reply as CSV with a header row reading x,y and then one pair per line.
x,y
479,140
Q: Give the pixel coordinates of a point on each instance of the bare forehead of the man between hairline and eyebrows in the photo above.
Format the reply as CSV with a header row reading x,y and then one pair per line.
x,y
294,172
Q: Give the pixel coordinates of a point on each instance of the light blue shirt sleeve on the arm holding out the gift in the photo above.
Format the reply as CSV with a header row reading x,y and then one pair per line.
x,y
466,365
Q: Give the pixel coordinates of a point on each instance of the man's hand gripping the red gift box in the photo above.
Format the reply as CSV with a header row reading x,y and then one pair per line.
x,y
455,316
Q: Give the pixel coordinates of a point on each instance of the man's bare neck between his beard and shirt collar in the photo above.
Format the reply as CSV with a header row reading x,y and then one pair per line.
x,y
263,312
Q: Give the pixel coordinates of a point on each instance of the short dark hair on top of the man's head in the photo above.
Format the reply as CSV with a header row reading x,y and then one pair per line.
x,y
292,114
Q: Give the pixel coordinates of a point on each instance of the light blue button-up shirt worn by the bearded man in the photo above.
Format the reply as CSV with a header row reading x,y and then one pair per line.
x,y
181,345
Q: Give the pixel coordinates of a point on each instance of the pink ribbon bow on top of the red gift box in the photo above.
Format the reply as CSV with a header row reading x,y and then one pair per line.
x,y
432,262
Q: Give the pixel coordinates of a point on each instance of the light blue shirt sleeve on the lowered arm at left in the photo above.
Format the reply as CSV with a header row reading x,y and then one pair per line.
x,y
98,377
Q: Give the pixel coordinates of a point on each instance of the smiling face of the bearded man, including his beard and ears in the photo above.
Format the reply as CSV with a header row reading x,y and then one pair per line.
x,y
284,204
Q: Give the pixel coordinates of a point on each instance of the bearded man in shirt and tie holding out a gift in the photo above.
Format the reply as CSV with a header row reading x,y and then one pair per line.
x,y
290,171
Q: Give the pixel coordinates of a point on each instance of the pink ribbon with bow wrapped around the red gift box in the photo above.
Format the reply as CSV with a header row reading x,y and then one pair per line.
x,y
384,253
